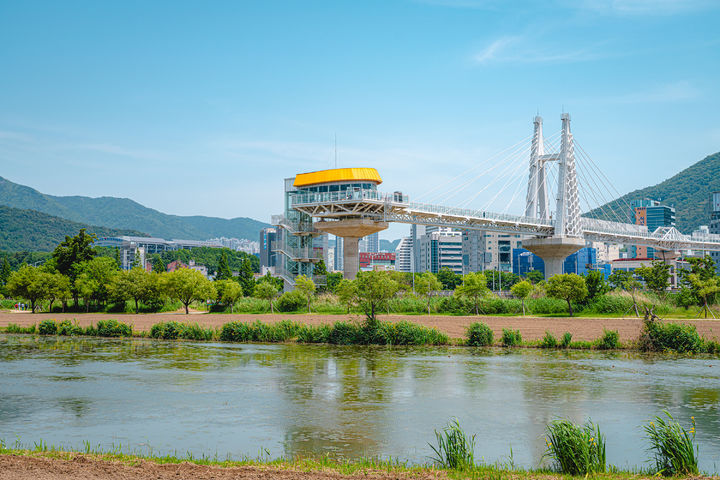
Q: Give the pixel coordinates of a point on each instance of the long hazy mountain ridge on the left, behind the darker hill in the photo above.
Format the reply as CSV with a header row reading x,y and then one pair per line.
x,y
123,213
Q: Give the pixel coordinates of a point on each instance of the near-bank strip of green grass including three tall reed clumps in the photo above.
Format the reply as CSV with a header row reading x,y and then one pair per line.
x,y
572,450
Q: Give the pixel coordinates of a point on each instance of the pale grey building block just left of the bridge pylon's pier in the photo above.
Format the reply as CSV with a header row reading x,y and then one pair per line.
x,y
483,250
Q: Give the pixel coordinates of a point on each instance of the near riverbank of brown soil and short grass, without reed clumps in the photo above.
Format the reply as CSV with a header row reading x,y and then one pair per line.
x,y
101,465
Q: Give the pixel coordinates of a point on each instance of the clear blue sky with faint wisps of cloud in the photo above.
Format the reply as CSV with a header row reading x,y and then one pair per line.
x,y
204,107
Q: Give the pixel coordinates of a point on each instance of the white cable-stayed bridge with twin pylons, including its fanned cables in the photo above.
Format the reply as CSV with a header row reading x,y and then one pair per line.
x,y
553,234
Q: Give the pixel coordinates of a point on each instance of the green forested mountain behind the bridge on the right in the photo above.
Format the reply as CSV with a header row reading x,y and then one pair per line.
x,y
688,191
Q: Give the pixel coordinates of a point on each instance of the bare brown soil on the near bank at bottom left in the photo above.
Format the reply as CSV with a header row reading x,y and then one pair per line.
x,y
16,467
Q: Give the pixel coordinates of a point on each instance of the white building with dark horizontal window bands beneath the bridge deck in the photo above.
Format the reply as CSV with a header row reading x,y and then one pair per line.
x,y
440,249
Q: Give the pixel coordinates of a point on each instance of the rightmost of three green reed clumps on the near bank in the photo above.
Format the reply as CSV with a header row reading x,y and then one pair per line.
x,y
672,446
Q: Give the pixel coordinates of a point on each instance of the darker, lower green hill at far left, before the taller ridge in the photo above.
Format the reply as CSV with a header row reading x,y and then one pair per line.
x,y
28,230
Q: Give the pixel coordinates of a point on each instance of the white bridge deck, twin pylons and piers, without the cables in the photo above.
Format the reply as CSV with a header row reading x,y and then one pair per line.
x,y
354,213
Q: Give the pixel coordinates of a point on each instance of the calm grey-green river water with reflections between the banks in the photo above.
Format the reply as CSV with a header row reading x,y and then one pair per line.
x,y
234,399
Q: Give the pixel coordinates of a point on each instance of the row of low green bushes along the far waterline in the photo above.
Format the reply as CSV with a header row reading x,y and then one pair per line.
x,y
655,336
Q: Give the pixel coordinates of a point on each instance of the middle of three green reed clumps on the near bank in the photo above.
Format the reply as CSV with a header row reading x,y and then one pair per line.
x,y
576,449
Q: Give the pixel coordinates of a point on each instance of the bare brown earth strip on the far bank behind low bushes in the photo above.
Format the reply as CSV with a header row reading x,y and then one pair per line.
x,y
531,328
